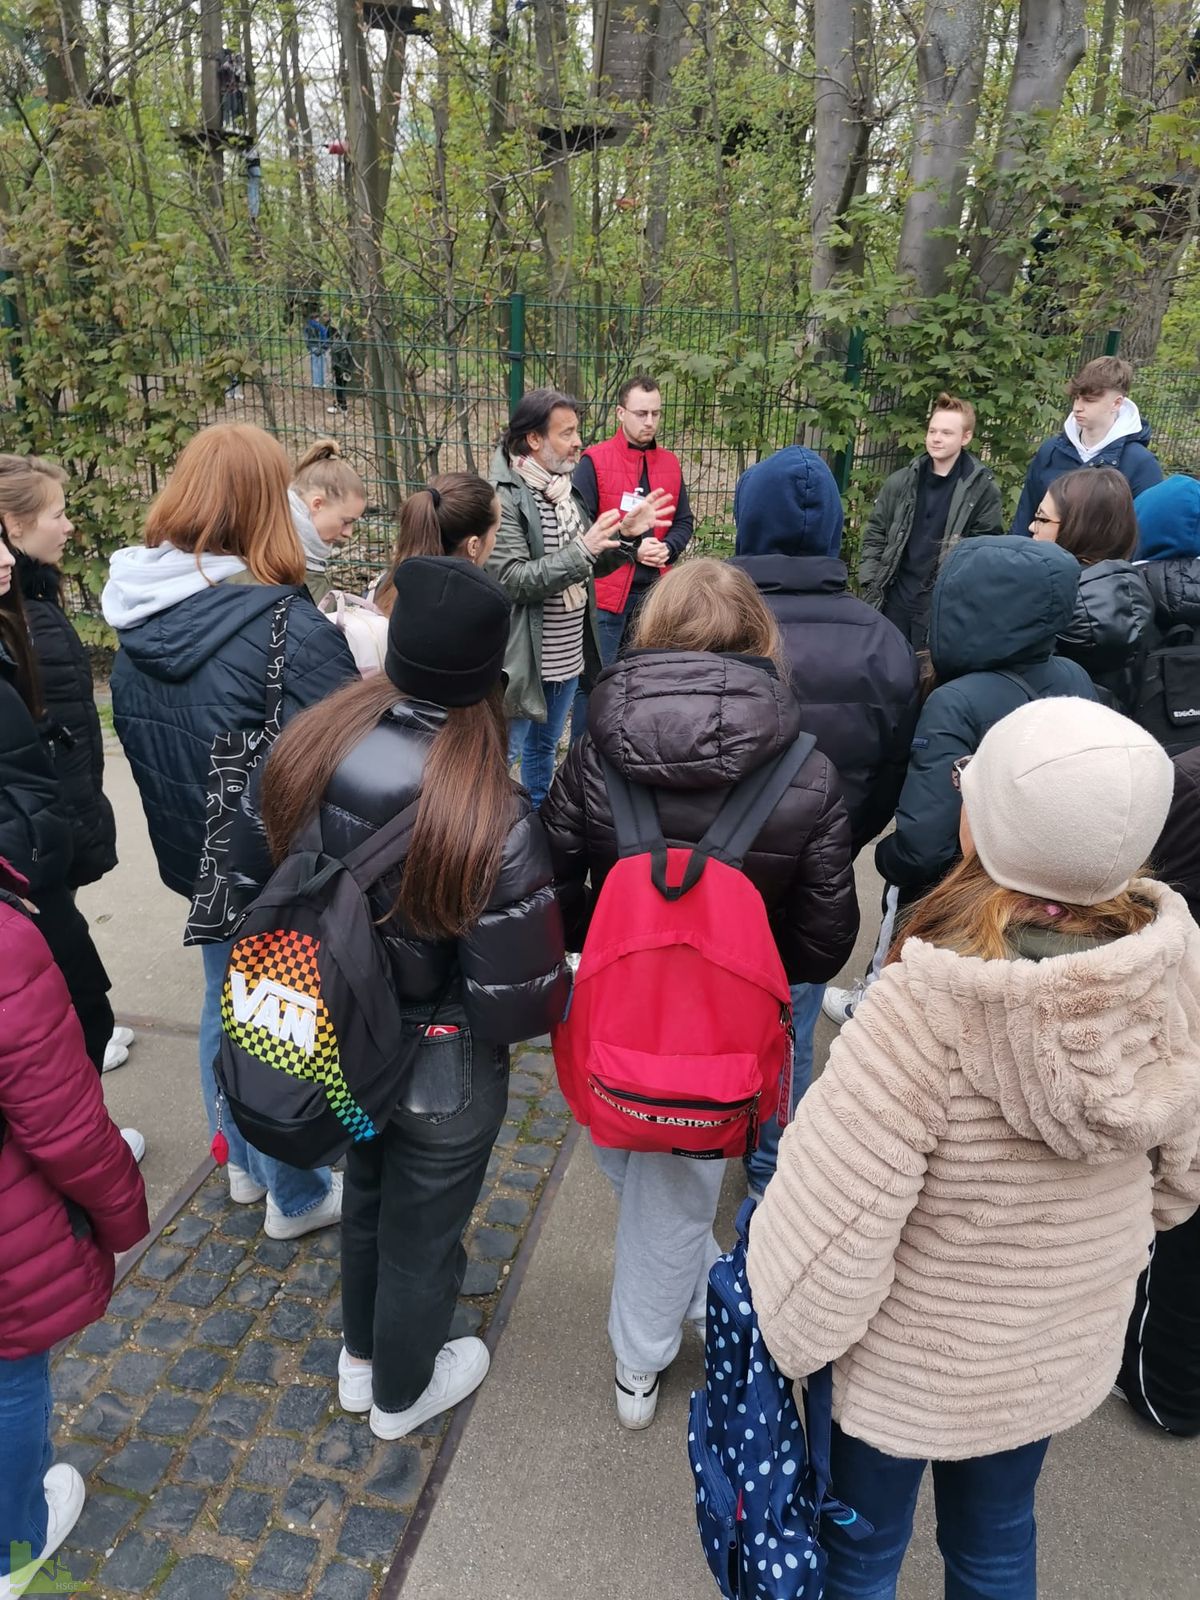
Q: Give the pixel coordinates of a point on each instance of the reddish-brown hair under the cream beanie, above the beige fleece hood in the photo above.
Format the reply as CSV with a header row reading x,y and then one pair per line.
x,y
974,916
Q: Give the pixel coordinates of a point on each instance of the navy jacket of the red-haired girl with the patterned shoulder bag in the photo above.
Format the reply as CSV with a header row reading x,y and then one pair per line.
x,y
199,670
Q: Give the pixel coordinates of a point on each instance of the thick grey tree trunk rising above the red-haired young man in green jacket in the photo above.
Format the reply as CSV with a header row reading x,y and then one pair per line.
x,y
950,74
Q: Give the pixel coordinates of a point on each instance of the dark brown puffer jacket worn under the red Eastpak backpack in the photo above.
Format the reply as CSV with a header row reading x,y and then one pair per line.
x,y
690,726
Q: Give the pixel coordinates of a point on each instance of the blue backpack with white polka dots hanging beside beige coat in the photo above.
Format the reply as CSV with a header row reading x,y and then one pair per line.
x,y
762,1489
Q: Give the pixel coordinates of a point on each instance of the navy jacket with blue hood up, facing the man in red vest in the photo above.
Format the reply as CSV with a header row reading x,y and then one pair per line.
x,y
854,671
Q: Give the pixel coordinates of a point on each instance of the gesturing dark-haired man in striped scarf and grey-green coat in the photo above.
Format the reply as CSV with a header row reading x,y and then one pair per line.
x,y
548,551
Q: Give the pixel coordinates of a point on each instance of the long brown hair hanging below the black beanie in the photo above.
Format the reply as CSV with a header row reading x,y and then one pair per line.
x,y
465,812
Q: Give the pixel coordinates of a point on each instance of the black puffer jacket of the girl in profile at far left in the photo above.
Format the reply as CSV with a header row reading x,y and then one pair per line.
x,y
70,697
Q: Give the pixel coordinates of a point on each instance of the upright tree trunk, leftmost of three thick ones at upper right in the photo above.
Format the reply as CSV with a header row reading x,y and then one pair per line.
x,y
841,130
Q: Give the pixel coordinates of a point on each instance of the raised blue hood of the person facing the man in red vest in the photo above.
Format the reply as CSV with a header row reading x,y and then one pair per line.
x,y
788,506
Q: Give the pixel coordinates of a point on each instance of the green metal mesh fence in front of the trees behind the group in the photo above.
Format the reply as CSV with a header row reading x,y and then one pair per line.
x,y
426,386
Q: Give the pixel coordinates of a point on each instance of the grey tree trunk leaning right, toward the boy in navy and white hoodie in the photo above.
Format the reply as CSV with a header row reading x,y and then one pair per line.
x,y
1052,41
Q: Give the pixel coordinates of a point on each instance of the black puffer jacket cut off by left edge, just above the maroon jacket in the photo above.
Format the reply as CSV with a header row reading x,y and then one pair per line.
x,y
36,833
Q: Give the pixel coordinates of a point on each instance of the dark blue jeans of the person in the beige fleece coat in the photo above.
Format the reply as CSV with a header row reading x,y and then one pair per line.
x,y
986,1529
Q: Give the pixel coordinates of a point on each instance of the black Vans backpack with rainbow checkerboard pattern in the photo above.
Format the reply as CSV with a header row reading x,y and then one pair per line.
x,y
314,1052
